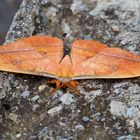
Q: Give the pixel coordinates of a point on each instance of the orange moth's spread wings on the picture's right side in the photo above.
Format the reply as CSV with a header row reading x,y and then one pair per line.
x,y
92,59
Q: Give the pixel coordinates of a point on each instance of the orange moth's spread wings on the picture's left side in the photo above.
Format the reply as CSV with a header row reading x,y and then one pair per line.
x,y
38,55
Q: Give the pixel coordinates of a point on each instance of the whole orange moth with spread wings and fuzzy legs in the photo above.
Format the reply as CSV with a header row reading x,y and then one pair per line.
x,y
88,59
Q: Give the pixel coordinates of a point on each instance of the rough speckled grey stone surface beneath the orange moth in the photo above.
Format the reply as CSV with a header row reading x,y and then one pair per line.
x,y
106,109
